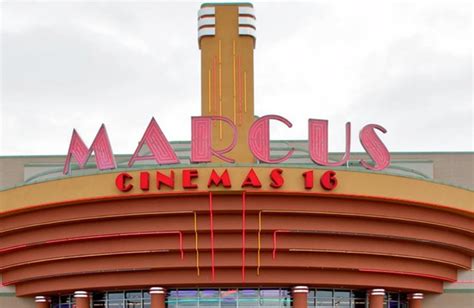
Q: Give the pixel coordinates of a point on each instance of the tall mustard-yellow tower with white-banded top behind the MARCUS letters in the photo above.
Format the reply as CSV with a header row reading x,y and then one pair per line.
x,y
227,39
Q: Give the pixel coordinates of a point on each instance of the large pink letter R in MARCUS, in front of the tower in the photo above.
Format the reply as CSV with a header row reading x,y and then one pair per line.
x,y
201,139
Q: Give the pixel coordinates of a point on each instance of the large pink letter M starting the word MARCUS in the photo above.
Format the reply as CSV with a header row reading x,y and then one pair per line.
x,y
104,156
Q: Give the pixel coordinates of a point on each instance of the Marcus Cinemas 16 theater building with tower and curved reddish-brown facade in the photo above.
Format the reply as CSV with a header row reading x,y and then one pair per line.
x,y
232,219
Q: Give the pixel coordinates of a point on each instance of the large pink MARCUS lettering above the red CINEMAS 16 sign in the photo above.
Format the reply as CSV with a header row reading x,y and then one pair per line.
x,y
202,150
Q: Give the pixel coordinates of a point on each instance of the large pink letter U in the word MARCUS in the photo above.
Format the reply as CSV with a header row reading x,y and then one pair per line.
x,y
318,143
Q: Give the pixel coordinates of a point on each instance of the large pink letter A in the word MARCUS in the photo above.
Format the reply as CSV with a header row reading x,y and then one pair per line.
x,y
161,150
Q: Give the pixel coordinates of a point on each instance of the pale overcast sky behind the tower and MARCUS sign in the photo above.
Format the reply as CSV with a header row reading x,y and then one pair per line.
x,y
406,65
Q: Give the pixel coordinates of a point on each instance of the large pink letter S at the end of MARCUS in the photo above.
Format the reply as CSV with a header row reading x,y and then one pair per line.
x,y
374,147
